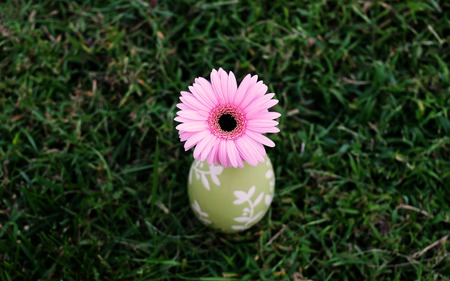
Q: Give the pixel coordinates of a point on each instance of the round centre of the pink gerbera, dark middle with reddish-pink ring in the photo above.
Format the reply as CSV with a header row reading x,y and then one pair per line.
x,y
227,122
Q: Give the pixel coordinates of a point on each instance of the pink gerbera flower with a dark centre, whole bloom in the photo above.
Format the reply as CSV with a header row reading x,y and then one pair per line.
x,y
225,122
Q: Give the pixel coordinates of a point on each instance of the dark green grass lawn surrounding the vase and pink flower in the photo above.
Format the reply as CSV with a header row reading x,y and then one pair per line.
x,y
88,95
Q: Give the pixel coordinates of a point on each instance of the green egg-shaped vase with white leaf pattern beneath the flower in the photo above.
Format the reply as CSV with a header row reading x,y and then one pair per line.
x,y
230,199
